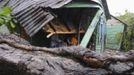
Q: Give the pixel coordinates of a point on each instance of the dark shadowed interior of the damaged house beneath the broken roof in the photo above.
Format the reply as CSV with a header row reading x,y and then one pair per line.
x,y
76,17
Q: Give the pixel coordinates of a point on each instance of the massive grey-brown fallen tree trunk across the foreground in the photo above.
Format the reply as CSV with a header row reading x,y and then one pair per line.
x,y
24,55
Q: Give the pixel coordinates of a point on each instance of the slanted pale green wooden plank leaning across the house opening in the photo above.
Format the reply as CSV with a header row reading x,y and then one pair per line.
x,y
91,29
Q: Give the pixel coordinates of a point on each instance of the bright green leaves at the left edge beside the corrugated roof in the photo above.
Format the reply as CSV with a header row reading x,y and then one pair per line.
x,y
6,18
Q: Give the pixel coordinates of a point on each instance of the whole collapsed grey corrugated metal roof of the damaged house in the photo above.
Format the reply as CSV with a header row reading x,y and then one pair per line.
x,y
34,14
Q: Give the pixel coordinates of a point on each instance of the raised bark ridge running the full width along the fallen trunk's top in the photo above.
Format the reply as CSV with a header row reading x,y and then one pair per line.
x,y
90,57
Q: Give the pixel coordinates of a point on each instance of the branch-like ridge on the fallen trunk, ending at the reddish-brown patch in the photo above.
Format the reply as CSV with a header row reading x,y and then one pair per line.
x,y
88,56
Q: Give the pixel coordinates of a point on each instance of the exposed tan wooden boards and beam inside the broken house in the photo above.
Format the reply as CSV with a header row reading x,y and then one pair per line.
x,y
60,28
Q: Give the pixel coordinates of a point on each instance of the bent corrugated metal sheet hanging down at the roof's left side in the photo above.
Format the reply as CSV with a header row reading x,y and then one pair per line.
x,y
33,19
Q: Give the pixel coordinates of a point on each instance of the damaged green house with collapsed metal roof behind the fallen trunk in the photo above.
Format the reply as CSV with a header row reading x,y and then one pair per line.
x,y
58,23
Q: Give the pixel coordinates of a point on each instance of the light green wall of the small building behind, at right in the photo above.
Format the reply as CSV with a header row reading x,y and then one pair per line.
x,y
112,30
